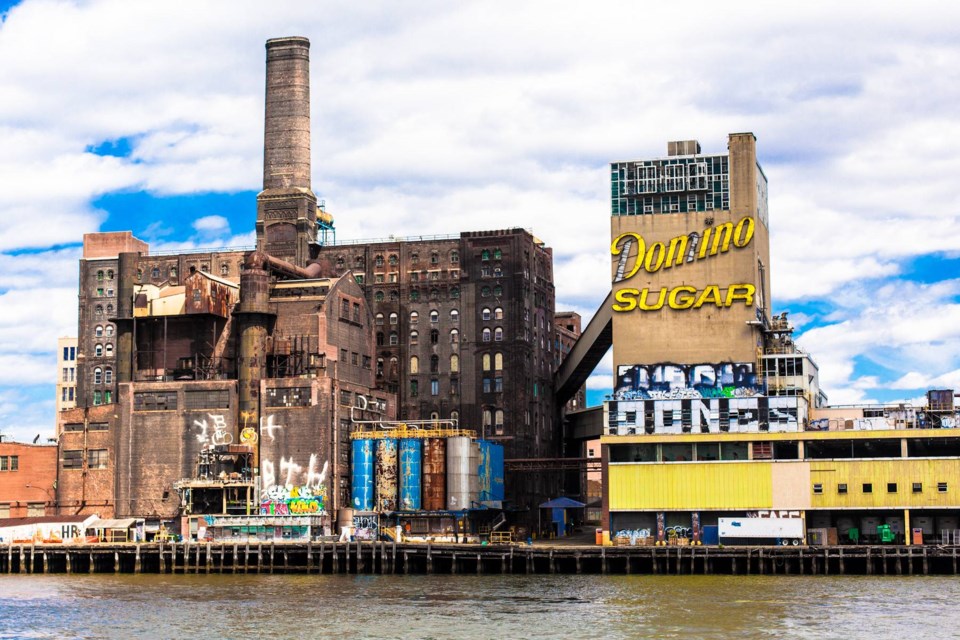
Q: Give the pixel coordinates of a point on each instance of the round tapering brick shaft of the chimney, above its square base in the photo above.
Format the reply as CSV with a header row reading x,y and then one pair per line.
x,y
286,140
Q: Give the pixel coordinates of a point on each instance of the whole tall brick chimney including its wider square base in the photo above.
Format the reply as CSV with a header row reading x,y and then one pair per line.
x,y
287,207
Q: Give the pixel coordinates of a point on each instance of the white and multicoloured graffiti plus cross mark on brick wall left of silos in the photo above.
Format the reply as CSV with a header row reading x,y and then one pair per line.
x,y
288,487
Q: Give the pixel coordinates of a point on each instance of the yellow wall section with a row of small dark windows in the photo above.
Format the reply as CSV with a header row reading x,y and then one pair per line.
x,y
879,473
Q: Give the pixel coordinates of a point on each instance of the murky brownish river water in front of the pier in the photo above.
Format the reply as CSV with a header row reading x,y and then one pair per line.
x,y
502,607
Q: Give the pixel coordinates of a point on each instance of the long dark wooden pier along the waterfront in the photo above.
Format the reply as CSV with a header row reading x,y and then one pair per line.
x,y
393,558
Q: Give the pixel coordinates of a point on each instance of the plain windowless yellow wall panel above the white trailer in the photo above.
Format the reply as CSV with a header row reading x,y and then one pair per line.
x,y
691,486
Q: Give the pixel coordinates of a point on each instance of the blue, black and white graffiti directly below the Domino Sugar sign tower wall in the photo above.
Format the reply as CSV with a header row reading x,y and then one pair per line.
x,y
677,381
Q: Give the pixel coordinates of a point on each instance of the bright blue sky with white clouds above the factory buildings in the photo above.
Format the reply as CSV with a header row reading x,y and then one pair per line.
x,y
437,117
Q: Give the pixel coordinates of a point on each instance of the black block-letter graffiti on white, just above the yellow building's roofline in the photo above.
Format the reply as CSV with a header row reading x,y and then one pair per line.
x,y
698,415
